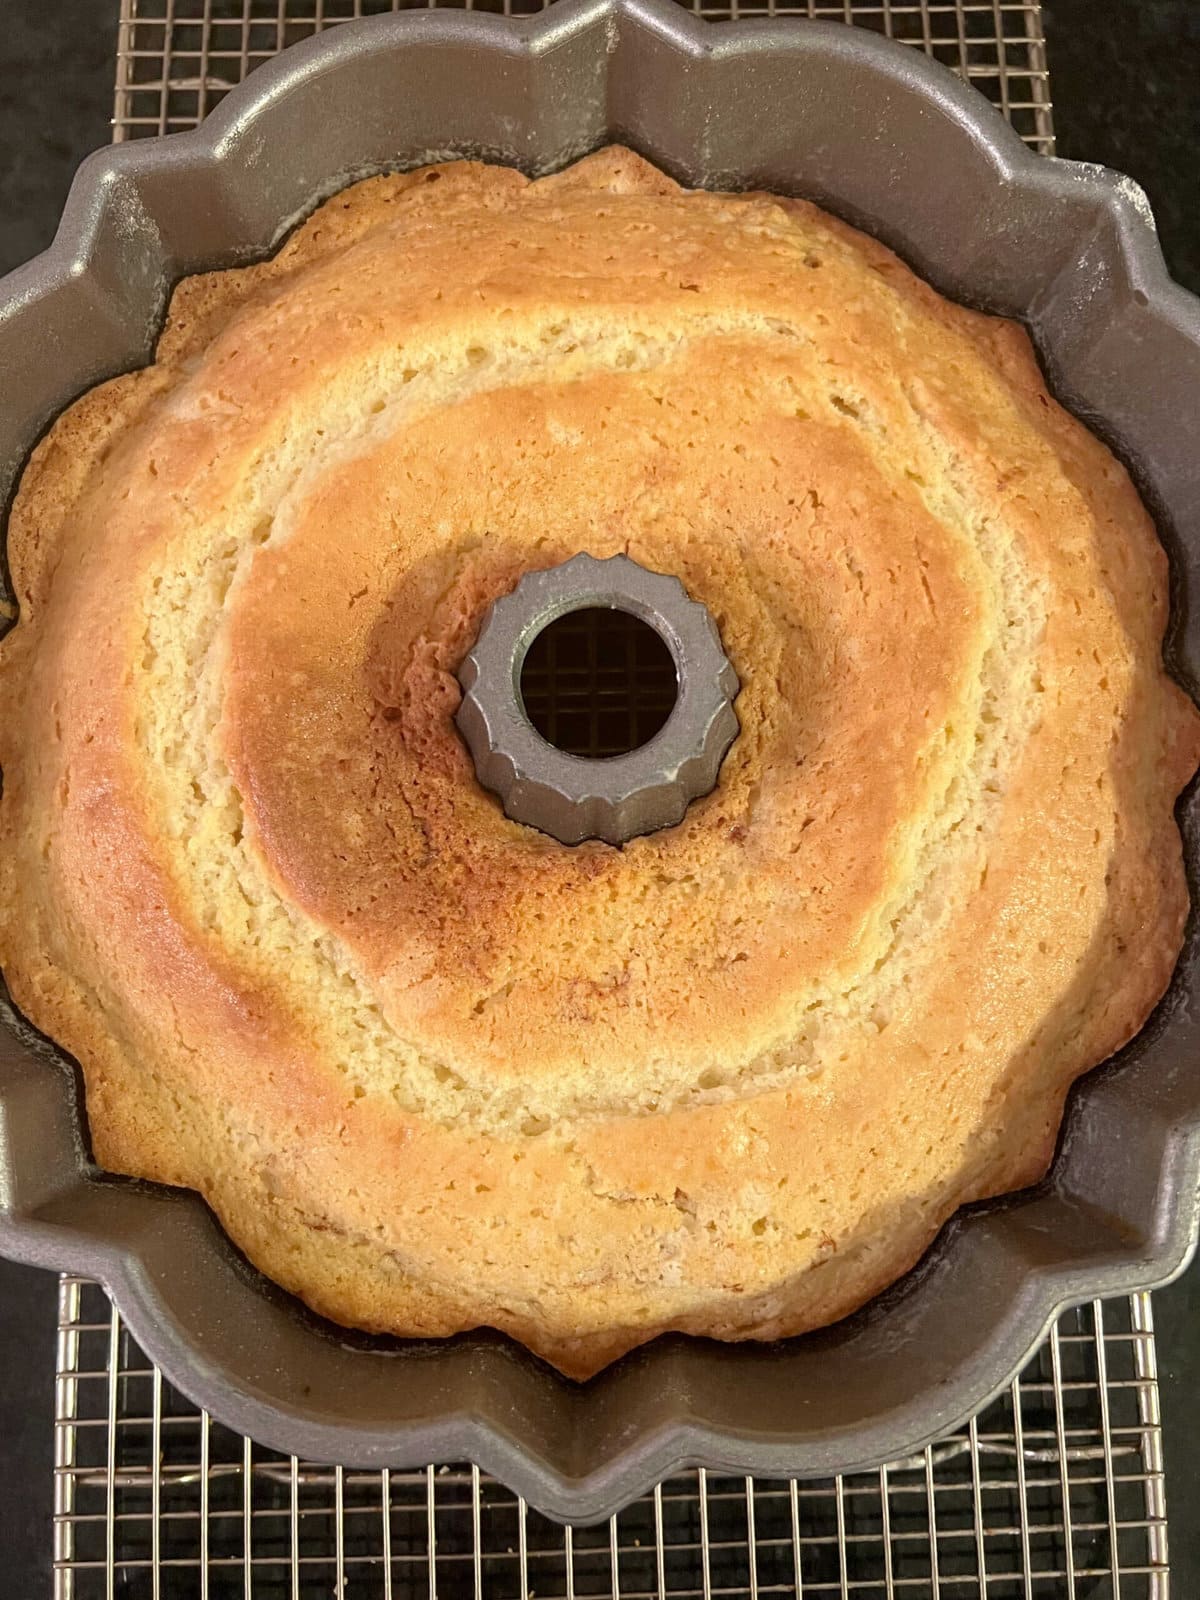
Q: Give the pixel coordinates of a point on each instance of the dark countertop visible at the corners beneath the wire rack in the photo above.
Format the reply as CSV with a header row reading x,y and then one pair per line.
x,y
1127,92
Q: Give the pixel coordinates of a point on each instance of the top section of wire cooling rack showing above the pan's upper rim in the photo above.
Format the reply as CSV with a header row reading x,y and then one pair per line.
x,y
177,58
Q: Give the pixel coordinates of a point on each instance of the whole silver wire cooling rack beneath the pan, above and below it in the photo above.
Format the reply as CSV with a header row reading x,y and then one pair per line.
x,y
1055,1490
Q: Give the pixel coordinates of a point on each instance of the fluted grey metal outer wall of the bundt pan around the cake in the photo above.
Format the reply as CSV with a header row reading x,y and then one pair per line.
x,y
902,148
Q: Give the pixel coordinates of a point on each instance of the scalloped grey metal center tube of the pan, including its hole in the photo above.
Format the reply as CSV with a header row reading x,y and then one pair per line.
x,y
598,702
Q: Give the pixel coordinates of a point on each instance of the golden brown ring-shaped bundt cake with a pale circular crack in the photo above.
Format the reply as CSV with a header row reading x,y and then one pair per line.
x,y
433,1070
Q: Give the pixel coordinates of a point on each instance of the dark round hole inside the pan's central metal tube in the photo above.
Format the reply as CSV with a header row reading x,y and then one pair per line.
x,y
599,682
